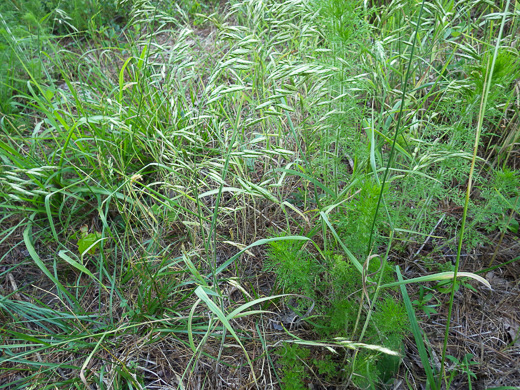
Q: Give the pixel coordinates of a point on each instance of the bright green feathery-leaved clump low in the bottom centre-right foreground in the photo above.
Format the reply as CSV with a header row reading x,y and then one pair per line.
x,y
333,287
